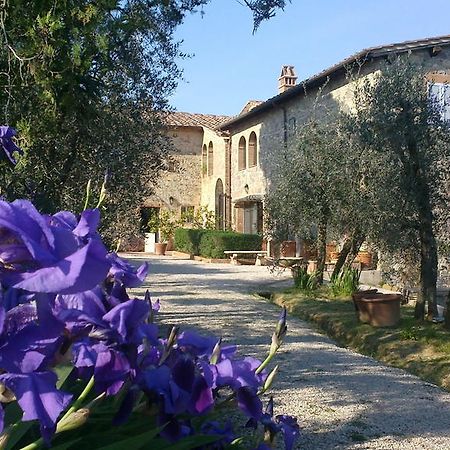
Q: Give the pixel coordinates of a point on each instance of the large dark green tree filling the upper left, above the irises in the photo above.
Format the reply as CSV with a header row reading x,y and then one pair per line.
x,y
85,84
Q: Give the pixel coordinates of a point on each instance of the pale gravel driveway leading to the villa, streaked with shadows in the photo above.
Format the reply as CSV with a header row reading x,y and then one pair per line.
x,y
342,400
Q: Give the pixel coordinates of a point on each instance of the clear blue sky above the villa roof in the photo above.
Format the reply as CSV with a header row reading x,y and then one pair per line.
x,y
229,65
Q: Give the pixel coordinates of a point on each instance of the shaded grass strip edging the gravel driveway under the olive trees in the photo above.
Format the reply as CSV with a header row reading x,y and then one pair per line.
x,y
420,348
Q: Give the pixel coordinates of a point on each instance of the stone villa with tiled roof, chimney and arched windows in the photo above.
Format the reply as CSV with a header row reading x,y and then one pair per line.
x,y
224,163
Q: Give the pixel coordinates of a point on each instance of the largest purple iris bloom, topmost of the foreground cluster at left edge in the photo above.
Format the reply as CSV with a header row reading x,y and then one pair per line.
x,y
47,259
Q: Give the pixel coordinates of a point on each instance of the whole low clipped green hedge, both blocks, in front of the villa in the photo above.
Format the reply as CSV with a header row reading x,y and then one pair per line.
x,y
212,243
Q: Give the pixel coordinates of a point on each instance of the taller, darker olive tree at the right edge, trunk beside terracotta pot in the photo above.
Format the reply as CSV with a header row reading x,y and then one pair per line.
x,y
406,146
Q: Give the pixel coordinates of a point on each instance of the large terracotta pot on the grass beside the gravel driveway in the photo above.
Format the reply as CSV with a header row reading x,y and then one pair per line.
x,y
382,310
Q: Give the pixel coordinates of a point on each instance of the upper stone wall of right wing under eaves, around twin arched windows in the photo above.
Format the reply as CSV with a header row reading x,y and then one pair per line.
x,y
275,128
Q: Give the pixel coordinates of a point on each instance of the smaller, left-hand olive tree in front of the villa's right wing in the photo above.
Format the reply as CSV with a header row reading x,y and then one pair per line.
x,y
316,188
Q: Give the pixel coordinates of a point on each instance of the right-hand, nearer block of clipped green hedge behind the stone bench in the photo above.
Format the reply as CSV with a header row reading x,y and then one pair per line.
x,y
214,242
